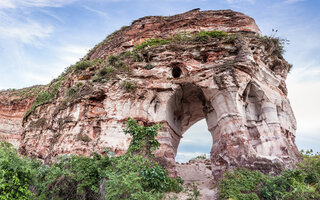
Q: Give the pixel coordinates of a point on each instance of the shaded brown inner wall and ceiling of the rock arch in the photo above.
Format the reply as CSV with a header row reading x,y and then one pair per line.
x,y
187,106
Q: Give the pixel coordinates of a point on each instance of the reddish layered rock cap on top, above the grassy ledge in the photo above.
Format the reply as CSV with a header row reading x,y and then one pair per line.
x,y
162,27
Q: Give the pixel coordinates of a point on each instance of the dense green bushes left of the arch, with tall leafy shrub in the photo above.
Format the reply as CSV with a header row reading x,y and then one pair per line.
x,y
135,175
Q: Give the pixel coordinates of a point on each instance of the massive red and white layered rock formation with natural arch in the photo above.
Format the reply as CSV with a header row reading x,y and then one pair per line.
x,y
235,81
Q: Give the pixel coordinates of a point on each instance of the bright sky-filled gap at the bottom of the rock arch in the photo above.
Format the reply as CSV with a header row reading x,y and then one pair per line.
x,y
196,142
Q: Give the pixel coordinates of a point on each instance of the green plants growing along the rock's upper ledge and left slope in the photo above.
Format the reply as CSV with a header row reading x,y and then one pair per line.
x,y
116,64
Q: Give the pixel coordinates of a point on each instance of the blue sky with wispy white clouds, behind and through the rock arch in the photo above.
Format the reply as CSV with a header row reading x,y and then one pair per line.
x,y
40,38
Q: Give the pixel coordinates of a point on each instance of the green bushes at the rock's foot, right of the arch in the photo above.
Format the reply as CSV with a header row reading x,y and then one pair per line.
x,y
302,183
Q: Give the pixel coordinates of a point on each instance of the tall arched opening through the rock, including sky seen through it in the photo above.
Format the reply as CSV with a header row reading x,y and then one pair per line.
x,y
192,121
